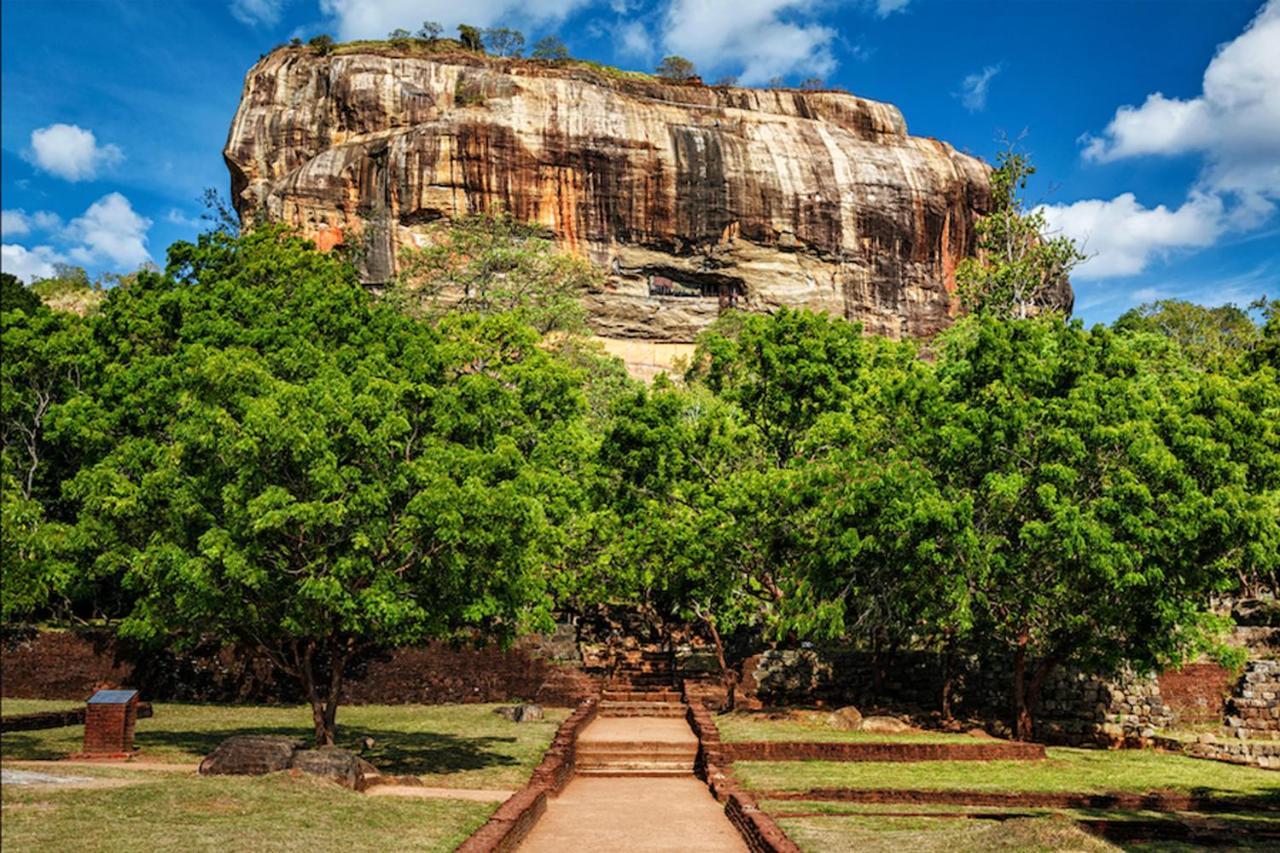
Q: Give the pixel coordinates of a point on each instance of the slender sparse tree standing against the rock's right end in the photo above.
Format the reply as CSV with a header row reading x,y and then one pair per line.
x,y
1020,268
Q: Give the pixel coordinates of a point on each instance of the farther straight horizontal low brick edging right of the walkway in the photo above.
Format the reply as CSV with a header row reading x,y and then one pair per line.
x,y
843,751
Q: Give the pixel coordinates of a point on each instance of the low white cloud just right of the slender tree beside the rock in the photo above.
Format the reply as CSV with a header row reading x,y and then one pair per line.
x,y
1122,238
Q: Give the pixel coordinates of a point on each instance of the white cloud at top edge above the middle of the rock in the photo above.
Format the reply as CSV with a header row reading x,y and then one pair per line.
x,y
761,38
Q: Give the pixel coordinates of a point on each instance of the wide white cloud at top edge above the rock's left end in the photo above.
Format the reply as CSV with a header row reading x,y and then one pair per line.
x,y
376,19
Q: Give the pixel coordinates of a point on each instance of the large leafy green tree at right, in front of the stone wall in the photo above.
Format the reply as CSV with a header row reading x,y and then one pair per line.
x,y
1109,496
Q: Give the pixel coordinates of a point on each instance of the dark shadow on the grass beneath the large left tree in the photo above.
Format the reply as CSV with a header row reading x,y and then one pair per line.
x,y
395,752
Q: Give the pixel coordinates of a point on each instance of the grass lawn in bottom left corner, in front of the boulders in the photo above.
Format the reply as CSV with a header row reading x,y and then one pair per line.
x,y
230,814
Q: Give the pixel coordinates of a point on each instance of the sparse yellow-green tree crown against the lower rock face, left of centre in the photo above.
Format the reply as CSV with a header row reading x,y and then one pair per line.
x,y
497,264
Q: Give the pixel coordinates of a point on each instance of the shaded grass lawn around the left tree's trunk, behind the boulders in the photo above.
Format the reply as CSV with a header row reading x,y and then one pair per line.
x,y
454,746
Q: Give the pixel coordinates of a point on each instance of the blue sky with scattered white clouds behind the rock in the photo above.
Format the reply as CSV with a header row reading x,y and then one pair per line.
x,y
1155,124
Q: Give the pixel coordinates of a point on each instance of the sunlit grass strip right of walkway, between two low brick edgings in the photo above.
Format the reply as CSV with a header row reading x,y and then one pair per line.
x,y
1066,772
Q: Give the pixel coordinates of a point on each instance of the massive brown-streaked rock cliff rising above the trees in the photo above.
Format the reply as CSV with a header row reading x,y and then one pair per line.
x,y
693,199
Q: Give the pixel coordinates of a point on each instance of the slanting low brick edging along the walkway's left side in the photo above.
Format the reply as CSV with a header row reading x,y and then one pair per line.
x,y
509,827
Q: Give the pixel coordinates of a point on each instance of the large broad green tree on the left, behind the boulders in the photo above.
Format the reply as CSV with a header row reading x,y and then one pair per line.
x,y
299,468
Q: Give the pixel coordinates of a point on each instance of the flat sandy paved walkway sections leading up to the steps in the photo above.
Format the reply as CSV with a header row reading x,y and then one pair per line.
x,y
636,814
